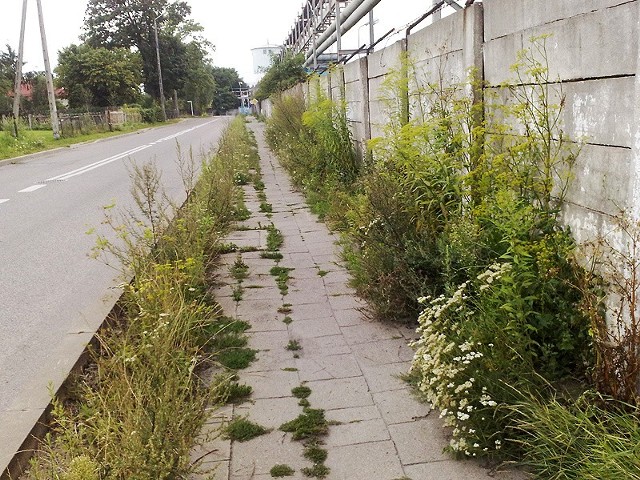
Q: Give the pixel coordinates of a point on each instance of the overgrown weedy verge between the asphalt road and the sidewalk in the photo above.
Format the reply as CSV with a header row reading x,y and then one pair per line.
x,y
137,408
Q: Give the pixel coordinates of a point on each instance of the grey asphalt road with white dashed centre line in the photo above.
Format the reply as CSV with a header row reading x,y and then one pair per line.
x,y
53,297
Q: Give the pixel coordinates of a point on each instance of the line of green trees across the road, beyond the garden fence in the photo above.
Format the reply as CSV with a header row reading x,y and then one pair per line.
x,y
116,64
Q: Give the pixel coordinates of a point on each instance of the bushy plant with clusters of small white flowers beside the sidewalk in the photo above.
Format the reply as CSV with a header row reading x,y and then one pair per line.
x,y
455,369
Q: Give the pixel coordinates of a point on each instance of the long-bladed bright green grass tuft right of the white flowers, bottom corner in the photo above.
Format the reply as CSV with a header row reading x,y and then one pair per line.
x,y
591,438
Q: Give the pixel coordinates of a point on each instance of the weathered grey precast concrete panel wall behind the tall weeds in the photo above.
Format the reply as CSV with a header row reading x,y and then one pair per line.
x,y
592,55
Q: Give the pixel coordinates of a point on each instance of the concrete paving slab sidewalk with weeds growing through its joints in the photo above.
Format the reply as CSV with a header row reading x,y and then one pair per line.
x,y
378,430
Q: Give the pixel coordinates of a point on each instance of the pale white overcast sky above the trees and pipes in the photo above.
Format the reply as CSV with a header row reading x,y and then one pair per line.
x,y
233,27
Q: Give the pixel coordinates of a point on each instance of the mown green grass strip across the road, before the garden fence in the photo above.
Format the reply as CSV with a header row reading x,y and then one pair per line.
x,y
33,141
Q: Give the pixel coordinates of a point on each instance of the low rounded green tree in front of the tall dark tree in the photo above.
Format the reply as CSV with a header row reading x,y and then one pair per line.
x,y
99,77
